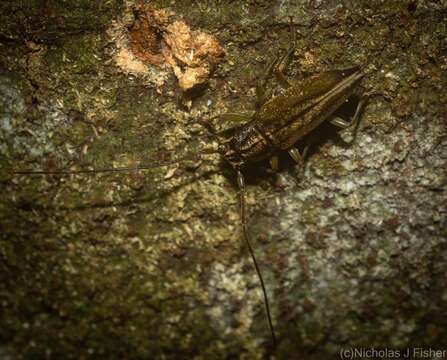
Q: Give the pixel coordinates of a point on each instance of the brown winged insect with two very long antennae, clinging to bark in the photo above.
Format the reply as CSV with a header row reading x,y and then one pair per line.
x,y
277,125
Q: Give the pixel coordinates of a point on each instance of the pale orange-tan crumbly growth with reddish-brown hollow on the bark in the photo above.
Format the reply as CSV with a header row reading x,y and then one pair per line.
x,y
146,37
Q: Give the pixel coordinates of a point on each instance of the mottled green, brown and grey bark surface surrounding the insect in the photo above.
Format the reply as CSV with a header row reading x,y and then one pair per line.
x,y
151,264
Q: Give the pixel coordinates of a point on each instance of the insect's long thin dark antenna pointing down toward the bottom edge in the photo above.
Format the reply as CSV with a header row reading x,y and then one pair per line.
x,y
241,183
